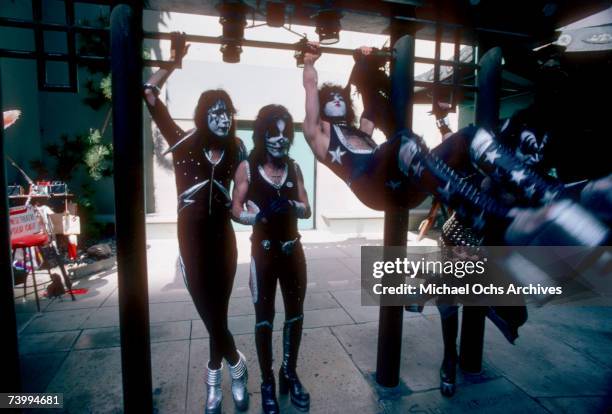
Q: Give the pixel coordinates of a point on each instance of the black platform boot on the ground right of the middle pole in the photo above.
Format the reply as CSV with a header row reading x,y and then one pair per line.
x,y
448,370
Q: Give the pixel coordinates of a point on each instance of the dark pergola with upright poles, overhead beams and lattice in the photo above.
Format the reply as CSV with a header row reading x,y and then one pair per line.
x,y
509,24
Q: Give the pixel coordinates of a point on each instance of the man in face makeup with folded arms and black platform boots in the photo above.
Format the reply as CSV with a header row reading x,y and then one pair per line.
x,y
271,187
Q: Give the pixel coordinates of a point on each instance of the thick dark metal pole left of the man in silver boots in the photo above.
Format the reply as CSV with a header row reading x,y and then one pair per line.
x,y
126,64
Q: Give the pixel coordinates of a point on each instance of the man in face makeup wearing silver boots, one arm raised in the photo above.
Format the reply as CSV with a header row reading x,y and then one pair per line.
x,y
205,159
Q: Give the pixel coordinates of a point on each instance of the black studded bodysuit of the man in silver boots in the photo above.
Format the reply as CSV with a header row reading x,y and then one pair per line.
x,y
207,242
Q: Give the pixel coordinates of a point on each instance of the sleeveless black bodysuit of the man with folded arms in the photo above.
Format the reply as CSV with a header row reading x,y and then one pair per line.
x,y
277,255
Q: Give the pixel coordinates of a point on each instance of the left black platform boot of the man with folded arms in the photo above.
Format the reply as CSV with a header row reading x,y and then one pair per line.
x,y
263,342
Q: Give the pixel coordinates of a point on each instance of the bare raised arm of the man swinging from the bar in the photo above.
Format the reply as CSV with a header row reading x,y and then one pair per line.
x,y
313,125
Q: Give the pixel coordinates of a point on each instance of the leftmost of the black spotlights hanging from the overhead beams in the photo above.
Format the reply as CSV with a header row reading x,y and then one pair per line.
x,y
233,21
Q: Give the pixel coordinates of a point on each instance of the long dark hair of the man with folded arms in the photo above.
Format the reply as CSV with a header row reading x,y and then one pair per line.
x,y
266,121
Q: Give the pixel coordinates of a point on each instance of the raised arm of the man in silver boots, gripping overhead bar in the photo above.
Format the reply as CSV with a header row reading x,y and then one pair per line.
x,y
169,129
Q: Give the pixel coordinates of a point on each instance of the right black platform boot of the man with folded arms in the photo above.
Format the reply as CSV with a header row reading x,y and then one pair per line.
x,y
288,381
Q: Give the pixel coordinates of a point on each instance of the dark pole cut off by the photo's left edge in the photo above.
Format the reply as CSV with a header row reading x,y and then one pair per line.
x,y
11,374
